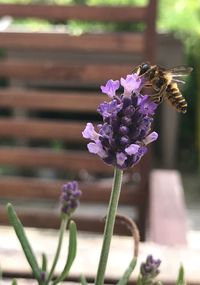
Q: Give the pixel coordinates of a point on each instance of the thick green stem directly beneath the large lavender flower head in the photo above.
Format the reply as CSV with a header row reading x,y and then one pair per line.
x,y
109,226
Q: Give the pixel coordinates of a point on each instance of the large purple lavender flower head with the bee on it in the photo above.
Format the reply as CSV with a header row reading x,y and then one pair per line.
x,y
122,138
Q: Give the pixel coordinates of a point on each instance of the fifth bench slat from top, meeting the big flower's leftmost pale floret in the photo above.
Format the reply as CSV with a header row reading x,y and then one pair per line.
x,y
41,129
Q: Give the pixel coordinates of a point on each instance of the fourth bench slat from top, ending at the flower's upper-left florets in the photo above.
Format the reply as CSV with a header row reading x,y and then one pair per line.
x,y
51,100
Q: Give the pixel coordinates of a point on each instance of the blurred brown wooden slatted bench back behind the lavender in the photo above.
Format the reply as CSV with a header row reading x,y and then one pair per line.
x,y
50,89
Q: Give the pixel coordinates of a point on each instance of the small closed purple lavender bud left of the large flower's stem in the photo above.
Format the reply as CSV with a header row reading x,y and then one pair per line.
x,y
69,197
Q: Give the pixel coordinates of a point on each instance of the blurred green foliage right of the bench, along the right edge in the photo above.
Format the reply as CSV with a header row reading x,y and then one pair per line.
x,y
182,18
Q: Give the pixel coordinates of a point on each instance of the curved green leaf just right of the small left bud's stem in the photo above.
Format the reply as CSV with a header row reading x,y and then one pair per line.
x,y
72,248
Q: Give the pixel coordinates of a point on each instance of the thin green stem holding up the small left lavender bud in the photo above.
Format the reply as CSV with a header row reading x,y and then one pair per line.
x,y
63,226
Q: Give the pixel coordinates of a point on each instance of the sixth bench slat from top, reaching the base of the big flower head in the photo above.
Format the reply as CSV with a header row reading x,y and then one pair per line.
x,y
64,160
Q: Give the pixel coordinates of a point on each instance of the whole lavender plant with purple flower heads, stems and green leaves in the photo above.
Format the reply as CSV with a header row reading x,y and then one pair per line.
x,y
120,141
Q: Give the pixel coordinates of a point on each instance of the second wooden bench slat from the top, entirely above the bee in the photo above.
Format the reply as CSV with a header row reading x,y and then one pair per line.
x,y
121,42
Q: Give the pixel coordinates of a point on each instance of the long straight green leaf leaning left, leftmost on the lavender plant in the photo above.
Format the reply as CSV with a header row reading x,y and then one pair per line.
x,y
19,230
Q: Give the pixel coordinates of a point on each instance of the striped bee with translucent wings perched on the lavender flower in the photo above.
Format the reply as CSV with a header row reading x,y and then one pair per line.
x,y
163,83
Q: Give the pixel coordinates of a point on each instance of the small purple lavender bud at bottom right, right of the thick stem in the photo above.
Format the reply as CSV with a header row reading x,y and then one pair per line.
x,y
149,269
